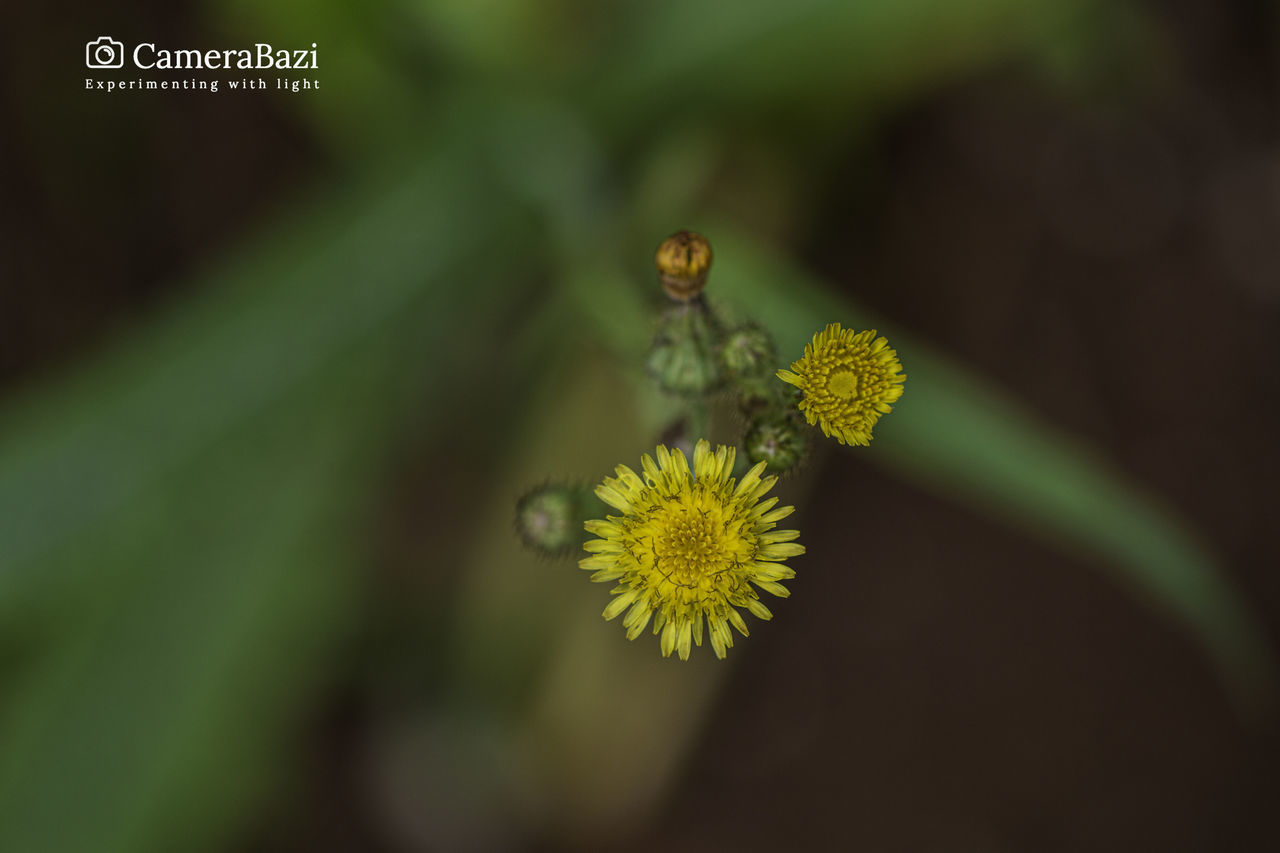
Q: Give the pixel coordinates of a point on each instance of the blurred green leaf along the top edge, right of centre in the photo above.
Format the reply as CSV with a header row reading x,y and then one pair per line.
x,y
682,61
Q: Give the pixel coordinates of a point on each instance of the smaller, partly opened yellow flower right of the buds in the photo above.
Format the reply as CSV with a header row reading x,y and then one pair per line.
x,y
849,380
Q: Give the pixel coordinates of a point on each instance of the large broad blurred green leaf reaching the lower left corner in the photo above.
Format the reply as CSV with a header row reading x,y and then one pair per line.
x,y
181,523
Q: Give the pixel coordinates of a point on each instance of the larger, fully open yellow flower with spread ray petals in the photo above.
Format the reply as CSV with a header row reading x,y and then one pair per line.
x,y
688,546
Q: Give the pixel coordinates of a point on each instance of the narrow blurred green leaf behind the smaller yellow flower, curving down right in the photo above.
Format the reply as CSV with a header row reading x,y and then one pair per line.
x,y
958,435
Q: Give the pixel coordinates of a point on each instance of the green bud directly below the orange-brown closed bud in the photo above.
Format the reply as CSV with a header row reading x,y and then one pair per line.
x,y
683,358
